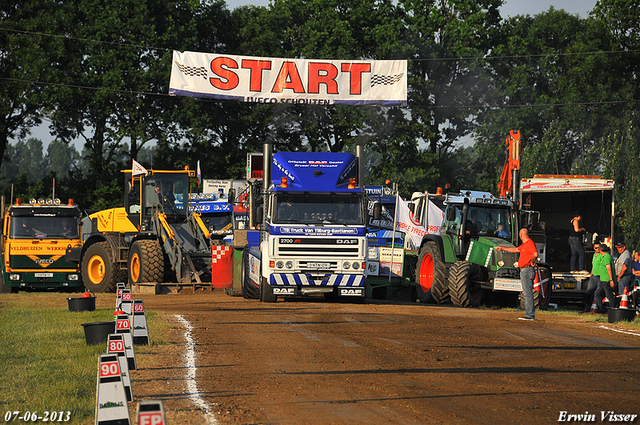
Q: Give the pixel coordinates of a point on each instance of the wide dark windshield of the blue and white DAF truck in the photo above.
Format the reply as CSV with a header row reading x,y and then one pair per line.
x,y
318,209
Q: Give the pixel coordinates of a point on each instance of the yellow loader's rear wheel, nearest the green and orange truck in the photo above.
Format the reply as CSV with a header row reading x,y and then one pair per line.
x,y
99,272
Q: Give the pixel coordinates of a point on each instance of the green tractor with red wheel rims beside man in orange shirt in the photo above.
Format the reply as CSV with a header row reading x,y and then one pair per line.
x,y
461,263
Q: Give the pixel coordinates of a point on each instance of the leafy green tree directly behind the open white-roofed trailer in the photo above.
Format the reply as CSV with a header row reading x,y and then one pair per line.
x,y
544,70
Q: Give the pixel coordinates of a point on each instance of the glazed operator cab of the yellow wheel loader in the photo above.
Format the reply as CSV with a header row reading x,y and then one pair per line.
x,y
157,192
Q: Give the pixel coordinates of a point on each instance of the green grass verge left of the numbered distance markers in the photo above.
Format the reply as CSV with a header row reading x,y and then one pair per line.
x,y
45,362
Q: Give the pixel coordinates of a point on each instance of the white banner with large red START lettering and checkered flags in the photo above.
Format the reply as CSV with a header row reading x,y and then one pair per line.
x,y
279,80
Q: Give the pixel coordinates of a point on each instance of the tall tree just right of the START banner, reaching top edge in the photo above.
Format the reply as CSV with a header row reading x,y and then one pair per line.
x,y
447,41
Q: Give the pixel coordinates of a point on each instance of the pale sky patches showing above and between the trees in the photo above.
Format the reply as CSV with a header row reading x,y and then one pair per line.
x,y
510,8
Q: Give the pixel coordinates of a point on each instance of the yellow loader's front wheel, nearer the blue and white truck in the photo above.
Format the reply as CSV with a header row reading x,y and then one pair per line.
x,y
146,262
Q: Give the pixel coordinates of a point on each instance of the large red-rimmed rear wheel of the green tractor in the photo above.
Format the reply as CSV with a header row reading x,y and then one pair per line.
x,y
430,275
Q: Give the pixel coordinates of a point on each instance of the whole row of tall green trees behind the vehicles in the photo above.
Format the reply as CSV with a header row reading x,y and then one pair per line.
x,y
99,71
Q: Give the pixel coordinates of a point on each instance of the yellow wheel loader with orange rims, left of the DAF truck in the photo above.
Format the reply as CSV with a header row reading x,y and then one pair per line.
x,y
154,238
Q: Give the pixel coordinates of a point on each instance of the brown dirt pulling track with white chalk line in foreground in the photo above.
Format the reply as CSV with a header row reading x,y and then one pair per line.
x,y
302,362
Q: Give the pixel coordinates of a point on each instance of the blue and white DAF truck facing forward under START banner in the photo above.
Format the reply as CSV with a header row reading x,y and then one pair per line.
x,y
312,237
